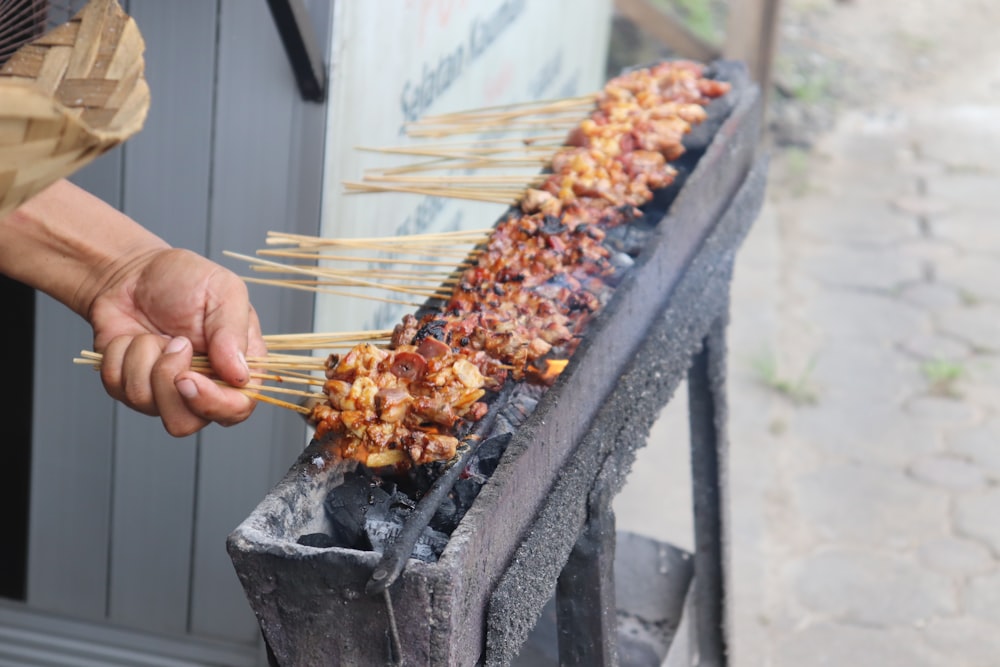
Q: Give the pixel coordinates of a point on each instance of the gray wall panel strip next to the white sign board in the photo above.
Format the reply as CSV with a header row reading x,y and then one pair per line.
x,y
254,144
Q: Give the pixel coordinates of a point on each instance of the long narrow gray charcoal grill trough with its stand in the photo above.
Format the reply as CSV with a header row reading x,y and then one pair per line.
x,y
531,568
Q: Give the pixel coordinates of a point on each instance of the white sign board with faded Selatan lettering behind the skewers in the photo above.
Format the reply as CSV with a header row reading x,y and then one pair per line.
x,y
394,61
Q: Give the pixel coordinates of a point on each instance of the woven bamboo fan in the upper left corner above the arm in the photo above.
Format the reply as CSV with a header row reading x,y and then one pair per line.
x,y
67,97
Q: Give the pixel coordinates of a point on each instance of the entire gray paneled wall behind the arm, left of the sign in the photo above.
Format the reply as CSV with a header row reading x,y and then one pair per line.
x,y
229,151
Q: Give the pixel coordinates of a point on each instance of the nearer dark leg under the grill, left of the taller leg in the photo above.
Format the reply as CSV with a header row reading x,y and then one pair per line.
x,y
585,592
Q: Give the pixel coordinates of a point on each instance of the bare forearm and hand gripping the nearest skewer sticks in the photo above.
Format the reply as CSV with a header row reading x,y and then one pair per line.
x,y
151,306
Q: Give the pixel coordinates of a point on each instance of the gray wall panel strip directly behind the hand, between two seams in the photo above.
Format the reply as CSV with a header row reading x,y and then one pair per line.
x,y
166,188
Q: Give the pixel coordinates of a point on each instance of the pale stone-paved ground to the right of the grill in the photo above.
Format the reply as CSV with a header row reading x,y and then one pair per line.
x,y
865,373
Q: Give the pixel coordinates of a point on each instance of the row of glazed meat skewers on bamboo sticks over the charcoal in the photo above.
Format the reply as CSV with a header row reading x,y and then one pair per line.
x,y
508,303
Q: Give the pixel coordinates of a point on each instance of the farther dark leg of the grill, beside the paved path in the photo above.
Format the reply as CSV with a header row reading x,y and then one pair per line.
x,y
706,390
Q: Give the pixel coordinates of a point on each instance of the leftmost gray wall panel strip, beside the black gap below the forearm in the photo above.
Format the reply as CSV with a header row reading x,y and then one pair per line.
x,y
71,451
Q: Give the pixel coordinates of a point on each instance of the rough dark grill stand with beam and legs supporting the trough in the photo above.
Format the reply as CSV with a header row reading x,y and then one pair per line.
x,y
662,600
